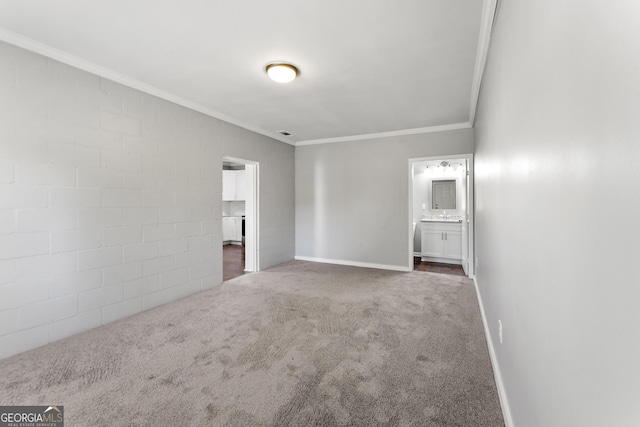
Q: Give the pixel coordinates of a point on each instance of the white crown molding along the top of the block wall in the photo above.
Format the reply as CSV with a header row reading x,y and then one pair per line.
x,y
74,61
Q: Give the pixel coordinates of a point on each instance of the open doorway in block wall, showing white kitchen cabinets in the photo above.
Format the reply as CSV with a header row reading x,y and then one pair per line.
x,y
239,217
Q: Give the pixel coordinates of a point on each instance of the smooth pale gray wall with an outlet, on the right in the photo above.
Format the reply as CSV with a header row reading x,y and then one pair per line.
x,y
557,208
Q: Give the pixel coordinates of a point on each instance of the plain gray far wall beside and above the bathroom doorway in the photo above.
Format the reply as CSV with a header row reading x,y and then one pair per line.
x,y
352,197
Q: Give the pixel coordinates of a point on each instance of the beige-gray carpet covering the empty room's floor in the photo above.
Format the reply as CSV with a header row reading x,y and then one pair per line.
x,y
302,344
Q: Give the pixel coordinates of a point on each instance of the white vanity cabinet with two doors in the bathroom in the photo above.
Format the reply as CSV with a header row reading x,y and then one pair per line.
x,y
441,241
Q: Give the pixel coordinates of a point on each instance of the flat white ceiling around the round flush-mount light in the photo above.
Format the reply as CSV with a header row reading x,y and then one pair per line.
x,y
380,67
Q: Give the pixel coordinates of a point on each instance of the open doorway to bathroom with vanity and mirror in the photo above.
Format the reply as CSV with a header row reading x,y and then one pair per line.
x,y
441,214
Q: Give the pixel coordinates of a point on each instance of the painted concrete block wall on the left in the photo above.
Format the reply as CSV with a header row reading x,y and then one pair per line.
x,y
110,200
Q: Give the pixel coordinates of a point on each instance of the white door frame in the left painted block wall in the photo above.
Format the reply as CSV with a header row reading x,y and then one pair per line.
x,y
252,212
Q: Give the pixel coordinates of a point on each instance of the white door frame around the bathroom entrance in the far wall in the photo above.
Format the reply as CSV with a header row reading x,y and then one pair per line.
x,y
470,206
